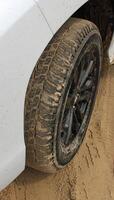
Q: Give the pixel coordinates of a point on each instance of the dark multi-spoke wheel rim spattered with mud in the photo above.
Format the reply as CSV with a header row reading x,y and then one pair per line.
x,y
79,101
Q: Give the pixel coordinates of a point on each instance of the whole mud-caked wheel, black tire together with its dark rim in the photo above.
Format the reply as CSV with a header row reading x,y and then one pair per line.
x,y
50,89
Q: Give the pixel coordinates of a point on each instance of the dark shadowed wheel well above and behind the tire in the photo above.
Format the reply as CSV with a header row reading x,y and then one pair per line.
x,y
99,12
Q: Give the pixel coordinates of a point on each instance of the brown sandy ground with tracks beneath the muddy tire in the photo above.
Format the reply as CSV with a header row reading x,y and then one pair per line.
x,y
91,174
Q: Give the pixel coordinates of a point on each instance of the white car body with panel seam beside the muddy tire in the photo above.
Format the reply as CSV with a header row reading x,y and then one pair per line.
x,y
26,27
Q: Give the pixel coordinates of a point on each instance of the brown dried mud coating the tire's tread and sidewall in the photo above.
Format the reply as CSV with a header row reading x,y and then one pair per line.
x,y
47,91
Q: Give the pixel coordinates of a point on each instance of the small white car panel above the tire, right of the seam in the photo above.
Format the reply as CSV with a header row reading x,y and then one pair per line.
x,y
58,11
